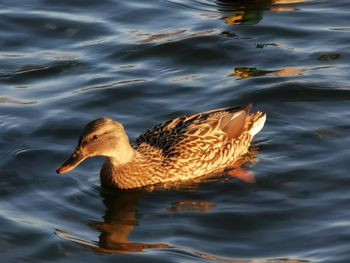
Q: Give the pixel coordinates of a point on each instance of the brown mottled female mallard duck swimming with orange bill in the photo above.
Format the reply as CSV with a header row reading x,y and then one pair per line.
x,y
180,149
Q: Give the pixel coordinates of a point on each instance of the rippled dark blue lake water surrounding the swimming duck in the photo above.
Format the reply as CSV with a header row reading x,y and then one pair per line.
x,y
65,63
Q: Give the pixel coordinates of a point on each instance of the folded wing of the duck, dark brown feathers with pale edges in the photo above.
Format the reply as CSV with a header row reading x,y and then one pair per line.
x,y
194,134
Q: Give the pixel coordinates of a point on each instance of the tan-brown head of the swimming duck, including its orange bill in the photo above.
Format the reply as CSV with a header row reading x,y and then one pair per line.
x,y
101,137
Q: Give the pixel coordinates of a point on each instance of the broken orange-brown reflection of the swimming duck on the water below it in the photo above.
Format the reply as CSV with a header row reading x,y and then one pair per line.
x,y
121,208
